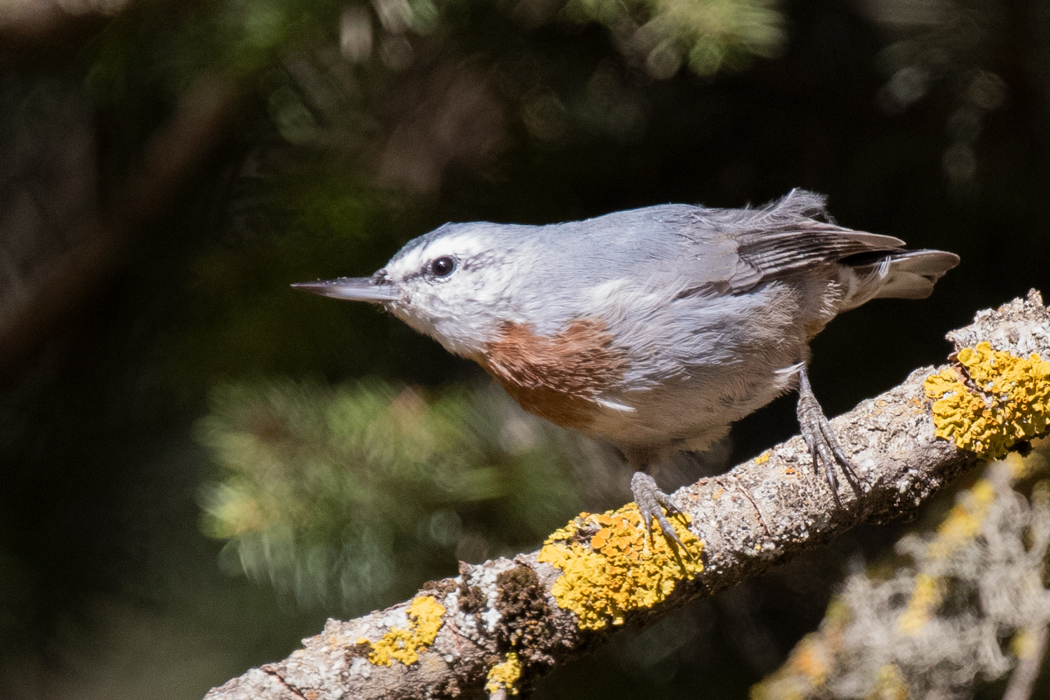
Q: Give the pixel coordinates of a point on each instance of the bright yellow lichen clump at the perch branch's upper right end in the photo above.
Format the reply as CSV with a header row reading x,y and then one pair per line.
x,y
1012,401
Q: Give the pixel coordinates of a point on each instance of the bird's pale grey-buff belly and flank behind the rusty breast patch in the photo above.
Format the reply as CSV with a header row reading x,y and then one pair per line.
x,y
699,366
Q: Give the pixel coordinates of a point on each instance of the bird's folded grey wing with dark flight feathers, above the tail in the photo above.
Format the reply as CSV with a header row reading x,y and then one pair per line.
x,y
742,248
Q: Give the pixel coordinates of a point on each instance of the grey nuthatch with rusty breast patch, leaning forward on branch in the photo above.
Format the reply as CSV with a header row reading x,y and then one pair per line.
x,y
653,330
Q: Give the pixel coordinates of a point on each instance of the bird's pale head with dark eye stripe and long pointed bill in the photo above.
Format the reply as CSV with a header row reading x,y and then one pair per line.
x,y
453,284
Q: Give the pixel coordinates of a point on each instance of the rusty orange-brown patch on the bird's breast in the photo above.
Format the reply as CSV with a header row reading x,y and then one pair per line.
x,y
556,377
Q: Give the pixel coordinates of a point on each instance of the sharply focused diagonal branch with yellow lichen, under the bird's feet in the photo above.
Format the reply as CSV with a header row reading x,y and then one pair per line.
x,y
498,626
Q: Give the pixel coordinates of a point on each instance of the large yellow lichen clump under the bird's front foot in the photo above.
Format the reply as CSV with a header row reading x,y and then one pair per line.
x,y
611,566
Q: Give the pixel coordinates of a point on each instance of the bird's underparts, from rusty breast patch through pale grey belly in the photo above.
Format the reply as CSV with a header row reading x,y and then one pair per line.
x,y
671,377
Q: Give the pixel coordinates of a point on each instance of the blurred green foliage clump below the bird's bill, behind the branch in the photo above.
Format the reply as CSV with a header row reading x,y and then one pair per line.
x,y
348,496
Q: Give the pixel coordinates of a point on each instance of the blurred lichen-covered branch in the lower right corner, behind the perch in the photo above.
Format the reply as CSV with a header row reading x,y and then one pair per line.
x,y
967,604
